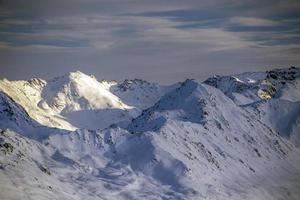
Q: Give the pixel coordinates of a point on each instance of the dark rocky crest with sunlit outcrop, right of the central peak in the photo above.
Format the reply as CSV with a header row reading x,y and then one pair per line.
x,y
250,87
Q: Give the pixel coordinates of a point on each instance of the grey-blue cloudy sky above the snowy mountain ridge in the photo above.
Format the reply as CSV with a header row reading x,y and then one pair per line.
x,y
163,41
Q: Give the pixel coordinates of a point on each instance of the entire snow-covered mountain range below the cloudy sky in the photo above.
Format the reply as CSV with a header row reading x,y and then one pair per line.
x,y
73,137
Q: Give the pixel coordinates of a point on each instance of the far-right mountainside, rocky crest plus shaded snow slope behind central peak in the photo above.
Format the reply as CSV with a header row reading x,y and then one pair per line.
x,y
272,97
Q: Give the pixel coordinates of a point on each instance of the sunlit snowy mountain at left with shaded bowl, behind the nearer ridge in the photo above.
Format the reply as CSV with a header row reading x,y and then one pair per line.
x,y
76,100
